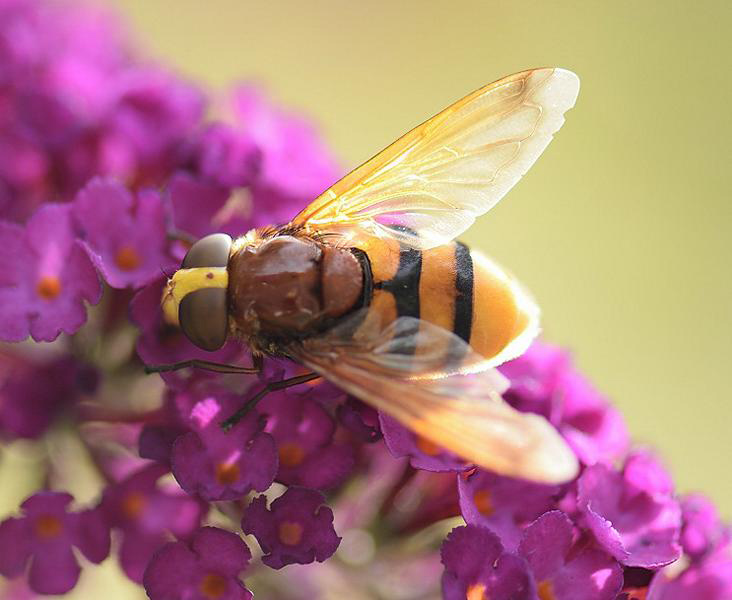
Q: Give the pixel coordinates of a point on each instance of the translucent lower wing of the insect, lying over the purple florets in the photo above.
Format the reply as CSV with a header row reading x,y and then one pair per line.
x,y
433,383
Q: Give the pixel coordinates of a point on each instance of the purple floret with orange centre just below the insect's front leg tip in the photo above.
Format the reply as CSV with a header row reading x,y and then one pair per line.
x,y
218,465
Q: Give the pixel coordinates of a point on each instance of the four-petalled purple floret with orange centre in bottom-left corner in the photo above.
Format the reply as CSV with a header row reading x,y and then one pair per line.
x,y
45,535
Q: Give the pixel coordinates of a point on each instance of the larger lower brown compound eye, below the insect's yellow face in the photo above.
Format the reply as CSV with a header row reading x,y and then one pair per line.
x,y
203,317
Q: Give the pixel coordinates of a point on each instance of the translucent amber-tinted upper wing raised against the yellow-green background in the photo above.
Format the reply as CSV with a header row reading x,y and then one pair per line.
x,y
435,180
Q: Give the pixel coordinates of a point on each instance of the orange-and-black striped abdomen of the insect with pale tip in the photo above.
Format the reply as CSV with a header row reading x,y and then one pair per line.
x,y
455,288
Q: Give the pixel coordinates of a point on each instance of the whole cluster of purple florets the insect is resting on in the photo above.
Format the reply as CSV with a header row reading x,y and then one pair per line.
x,y
108,171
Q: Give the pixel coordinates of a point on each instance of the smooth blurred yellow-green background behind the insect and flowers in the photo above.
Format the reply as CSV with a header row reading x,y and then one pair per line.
x,y
621,230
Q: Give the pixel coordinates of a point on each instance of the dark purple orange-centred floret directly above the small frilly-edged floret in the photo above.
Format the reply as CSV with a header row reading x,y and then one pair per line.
x,y
308,453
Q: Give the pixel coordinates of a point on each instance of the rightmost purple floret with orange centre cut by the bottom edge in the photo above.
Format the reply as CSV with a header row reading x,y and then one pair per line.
x,y
564,569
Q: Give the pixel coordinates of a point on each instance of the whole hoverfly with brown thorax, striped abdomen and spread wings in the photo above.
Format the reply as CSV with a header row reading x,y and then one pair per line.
x,y
367,288
